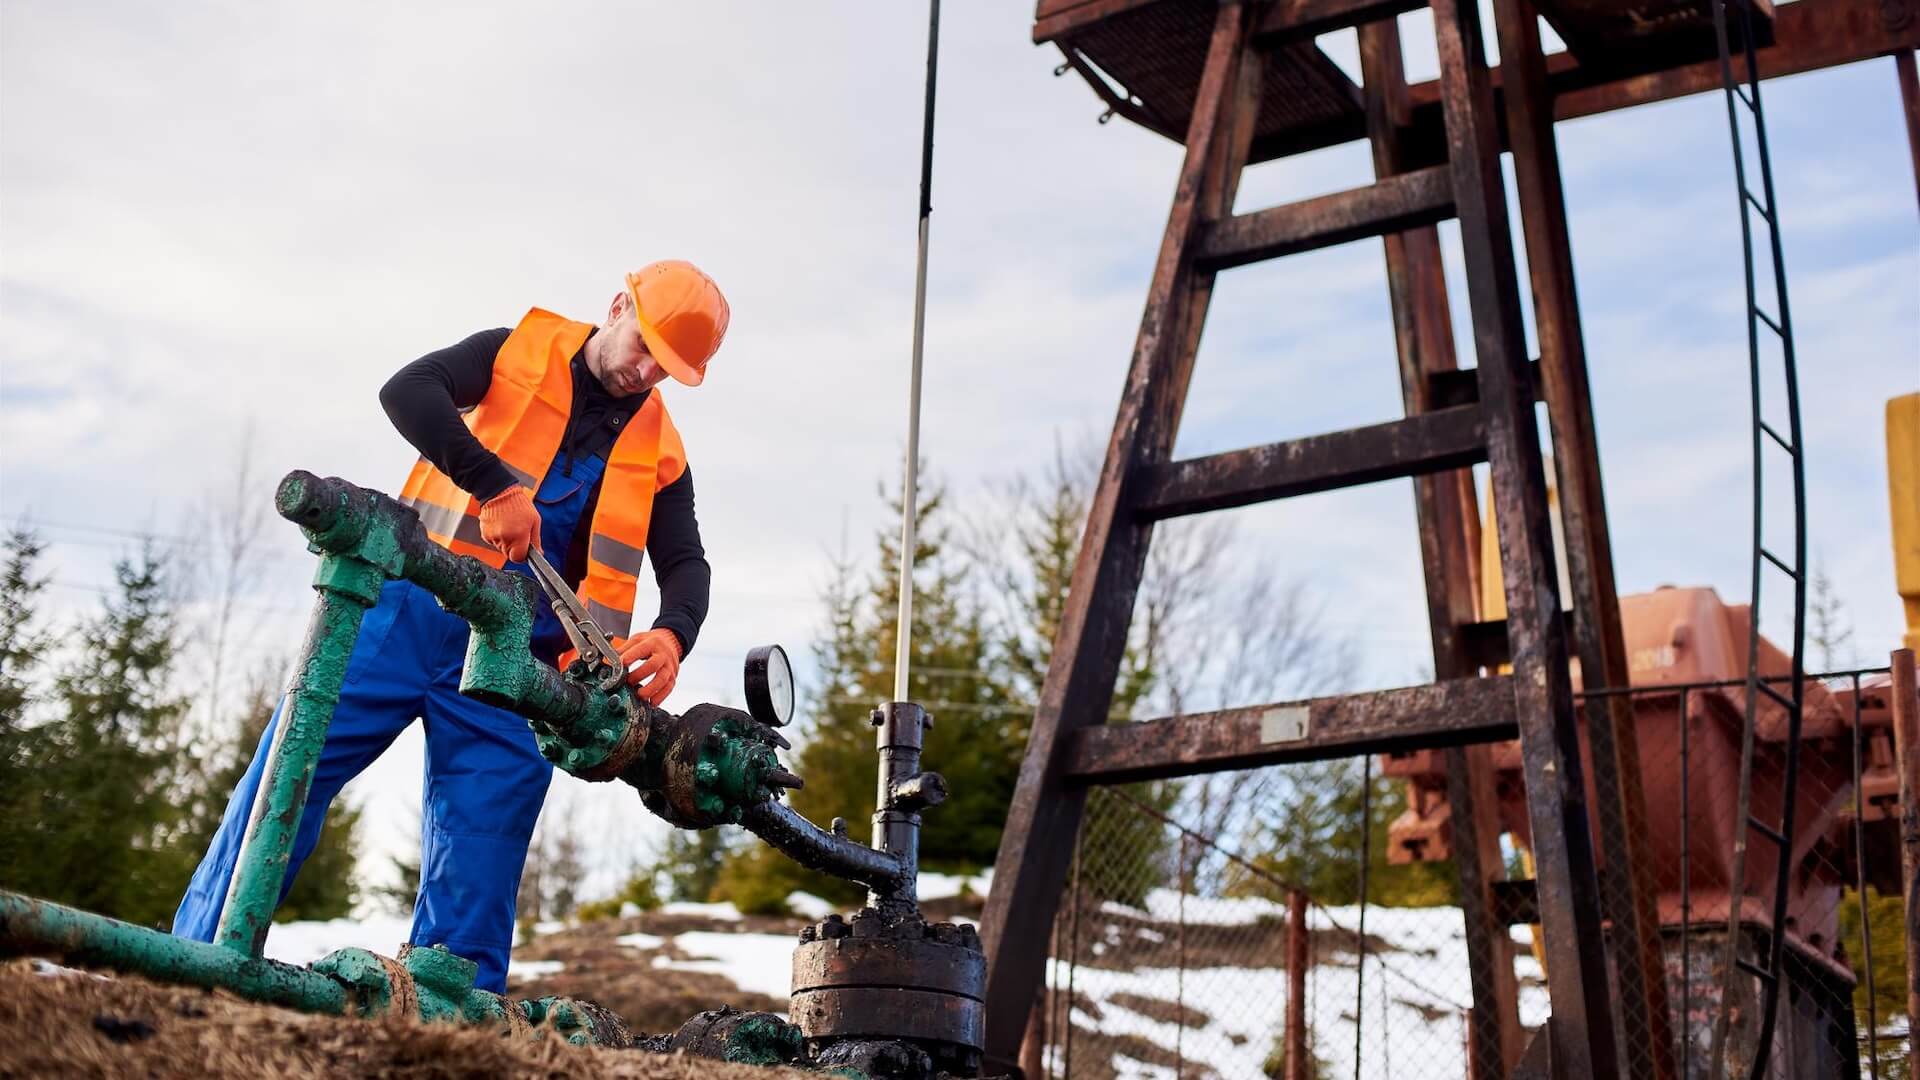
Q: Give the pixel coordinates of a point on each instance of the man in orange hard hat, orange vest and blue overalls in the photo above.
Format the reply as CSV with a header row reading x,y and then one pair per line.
x,y
565,445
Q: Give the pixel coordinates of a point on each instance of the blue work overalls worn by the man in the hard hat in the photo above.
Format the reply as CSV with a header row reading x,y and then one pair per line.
x,y
485,777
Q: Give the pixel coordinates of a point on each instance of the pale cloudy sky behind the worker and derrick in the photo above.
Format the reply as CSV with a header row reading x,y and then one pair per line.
x,y
241,218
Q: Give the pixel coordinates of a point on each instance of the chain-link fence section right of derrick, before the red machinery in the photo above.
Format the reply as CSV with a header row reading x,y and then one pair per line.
x,y
1842,1004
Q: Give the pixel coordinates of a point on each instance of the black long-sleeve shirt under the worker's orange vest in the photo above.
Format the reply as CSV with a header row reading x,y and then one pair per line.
x,y
425,401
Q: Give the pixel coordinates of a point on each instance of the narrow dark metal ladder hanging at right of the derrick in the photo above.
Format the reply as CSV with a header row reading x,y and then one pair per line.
x,y
1767,441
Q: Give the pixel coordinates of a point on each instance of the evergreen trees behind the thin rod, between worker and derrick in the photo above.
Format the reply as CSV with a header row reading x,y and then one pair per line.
x,y
986,618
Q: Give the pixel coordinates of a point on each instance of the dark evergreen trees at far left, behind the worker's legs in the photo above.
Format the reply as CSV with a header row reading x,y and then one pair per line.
x,y
107,795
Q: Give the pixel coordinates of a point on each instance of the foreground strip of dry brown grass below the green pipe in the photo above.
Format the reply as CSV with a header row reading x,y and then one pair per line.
x,y
78,1025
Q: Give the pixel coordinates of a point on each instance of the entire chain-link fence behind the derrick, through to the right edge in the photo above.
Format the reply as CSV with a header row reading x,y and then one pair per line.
x,y
1222,925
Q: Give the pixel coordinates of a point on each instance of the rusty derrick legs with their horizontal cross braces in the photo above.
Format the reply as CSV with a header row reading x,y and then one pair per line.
x,y
1140,485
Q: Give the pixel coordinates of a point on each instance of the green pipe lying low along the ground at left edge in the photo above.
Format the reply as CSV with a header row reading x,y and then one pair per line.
x,y
80,937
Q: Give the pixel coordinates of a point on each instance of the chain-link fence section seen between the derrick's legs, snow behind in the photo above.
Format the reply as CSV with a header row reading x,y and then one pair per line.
x,y
1212,927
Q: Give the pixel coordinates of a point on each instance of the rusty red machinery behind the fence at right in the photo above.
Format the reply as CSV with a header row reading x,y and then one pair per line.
x,y
1677,641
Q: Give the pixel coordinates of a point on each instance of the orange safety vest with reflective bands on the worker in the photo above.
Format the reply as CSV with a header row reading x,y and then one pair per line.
x,y
521,420
